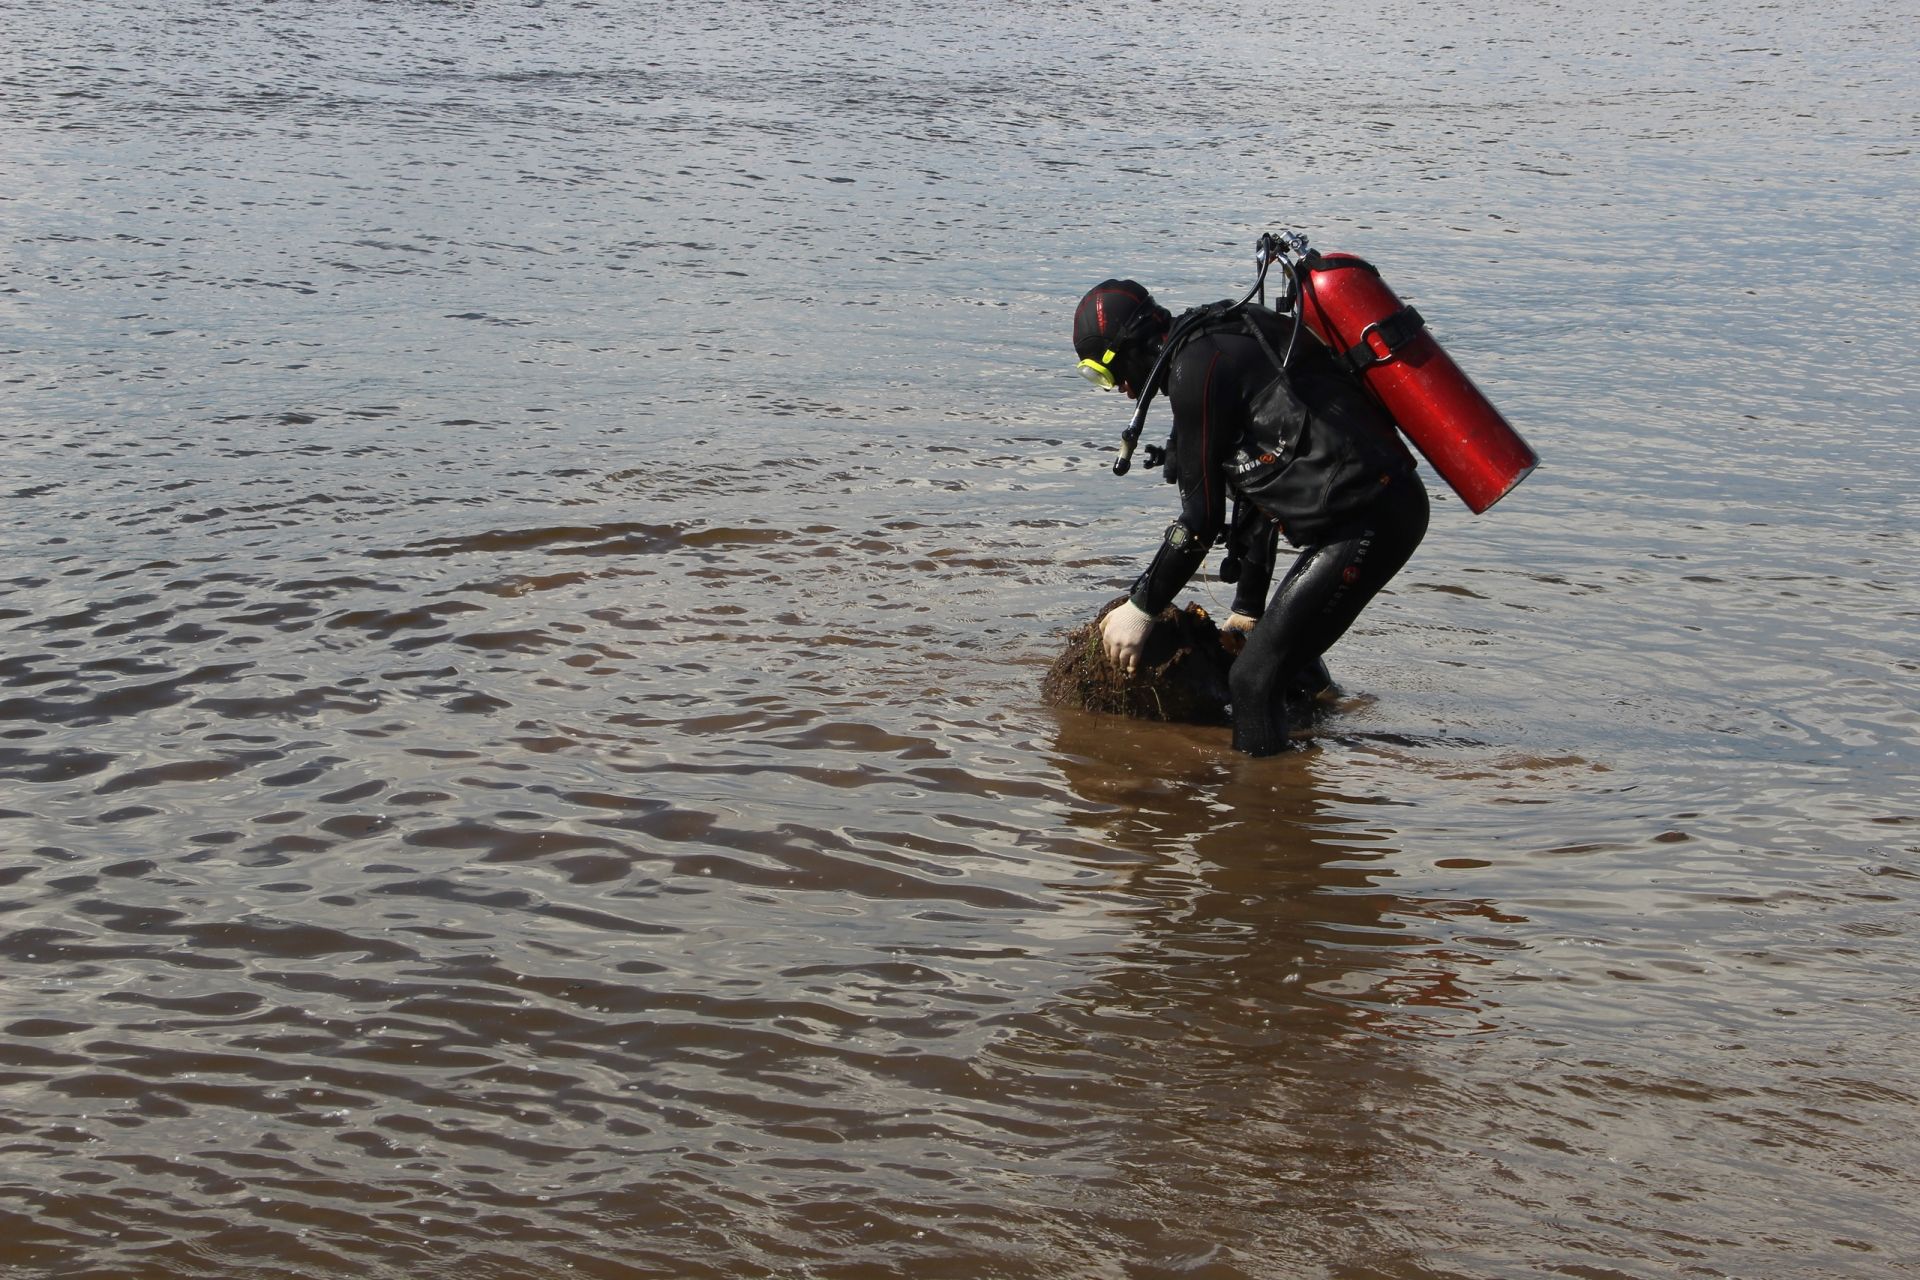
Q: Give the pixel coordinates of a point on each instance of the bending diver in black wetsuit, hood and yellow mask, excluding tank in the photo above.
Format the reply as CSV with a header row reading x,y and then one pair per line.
x,y
1308,454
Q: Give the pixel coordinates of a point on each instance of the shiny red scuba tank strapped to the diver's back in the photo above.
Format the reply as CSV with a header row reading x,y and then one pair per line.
x,y
1349,308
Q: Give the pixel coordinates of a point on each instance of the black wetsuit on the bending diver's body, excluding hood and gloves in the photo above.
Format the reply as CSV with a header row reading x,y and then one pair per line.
x,y
1318,458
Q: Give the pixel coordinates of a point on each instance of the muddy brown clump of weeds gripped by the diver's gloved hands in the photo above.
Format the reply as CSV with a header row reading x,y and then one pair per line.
x,y
1182,675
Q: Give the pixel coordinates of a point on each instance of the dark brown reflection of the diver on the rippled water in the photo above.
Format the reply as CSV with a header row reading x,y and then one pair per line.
x,y
1262,1020
